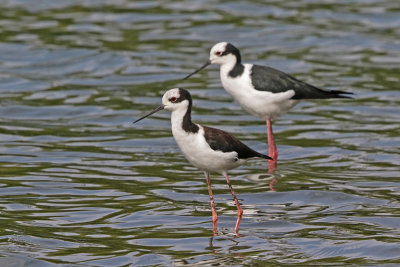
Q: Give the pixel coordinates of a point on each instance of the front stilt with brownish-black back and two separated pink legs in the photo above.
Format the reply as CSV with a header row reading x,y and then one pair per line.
x,y
209,149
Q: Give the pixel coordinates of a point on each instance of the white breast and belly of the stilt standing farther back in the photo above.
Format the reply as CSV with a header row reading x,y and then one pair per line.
x,y
262,104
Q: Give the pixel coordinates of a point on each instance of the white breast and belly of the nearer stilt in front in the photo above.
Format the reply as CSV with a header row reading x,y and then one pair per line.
x,y
199,153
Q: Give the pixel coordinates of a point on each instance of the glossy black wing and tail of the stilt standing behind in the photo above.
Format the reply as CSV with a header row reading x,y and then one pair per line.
x,y
272,80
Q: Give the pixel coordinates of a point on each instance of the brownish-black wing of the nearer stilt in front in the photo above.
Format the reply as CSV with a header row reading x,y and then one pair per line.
x,y
222,141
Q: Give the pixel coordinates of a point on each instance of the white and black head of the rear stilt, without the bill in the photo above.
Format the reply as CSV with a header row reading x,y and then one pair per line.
x,y
223,53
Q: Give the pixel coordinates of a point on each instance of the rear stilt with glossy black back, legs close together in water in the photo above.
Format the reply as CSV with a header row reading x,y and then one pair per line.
x,y
261,90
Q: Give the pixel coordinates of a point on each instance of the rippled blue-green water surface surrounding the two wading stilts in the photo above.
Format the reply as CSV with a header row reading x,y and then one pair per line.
x,y
80,185
